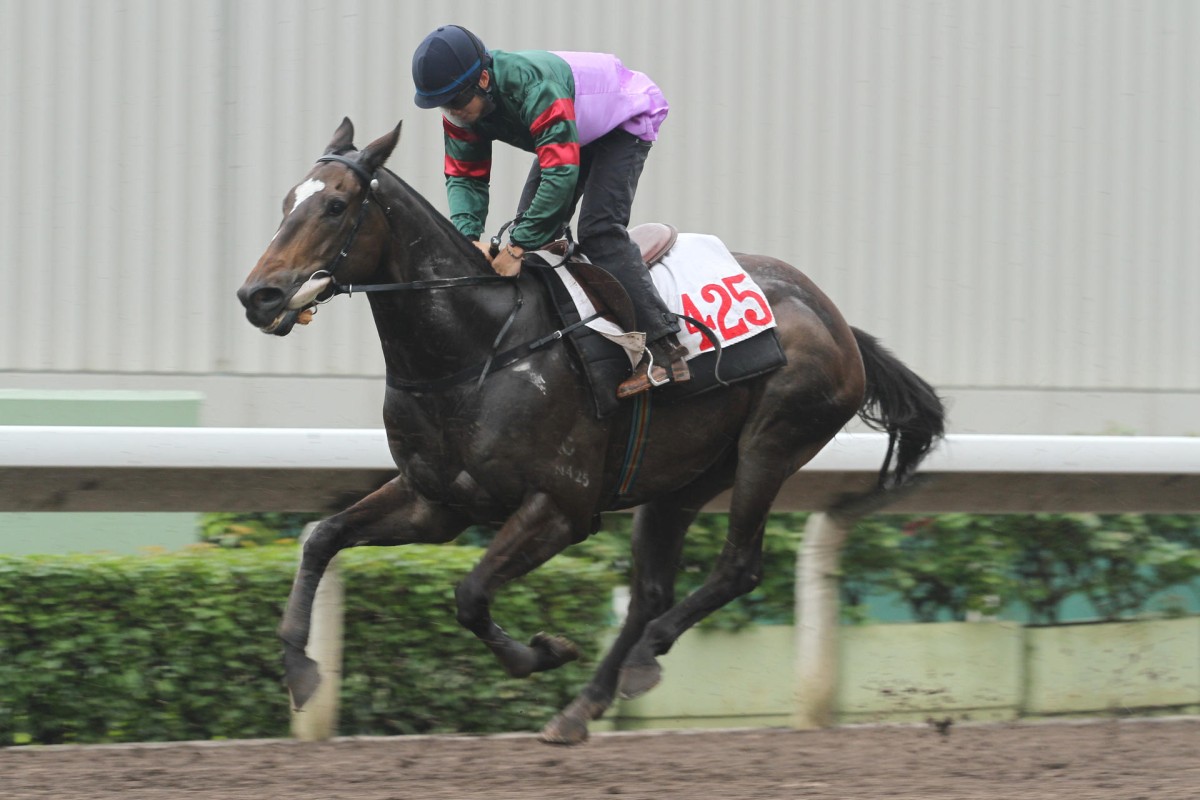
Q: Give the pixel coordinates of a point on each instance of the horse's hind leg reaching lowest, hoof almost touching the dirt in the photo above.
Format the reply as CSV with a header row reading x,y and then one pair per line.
x,y
659,531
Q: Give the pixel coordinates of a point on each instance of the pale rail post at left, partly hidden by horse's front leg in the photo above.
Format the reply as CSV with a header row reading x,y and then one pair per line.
x,y
319,720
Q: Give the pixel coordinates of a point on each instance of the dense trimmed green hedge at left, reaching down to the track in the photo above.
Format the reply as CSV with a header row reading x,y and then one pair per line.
x,y
177,647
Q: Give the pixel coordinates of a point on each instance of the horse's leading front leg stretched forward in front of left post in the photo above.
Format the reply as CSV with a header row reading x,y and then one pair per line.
x,y
392,515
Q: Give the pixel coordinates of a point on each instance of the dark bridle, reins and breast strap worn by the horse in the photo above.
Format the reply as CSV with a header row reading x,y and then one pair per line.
x,y
495,360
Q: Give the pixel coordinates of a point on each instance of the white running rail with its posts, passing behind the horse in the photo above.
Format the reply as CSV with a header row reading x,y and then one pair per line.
x,y
284,470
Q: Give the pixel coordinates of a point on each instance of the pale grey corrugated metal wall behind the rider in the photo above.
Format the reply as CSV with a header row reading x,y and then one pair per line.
x,y
1006,191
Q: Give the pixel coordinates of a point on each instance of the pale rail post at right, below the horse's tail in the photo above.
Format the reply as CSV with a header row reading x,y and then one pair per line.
x,y
817,618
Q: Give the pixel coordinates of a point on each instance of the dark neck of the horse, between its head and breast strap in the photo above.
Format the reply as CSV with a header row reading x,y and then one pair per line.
x,y
429,333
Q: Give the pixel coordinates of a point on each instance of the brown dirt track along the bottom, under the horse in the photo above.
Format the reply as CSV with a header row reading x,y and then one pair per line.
x,y
1099,761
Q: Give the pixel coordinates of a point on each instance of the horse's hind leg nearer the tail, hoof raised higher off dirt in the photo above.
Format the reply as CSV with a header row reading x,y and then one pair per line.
x,y
739,568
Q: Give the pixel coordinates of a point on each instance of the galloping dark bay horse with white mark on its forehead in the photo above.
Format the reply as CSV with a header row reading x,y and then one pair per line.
x,y
521,450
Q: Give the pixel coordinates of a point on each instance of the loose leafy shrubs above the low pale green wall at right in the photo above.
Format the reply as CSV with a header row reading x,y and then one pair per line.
x,y
1037,568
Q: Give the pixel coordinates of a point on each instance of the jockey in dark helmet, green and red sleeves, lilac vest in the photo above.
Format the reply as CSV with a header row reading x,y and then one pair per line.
x,y
591,123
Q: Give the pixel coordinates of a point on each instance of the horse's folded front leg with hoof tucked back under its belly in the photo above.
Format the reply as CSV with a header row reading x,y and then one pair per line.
x,y
530,538
